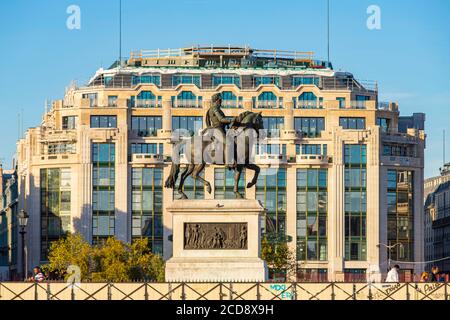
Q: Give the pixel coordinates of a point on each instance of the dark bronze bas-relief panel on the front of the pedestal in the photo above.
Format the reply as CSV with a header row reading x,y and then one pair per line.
x,y
213,236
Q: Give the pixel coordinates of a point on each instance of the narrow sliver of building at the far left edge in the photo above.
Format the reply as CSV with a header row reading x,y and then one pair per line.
x,y
9,233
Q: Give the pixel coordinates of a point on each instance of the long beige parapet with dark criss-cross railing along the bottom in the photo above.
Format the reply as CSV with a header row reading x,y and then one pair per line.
x,y
224,291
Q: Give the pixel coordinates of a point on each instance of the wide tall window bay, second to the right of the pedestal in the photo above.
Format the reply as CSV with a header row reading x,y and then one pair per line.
x,y
312,214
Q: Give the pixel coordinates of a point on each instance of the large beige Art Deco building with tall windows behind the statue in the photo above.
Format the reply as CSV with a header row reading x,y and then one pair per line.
x,y
338,177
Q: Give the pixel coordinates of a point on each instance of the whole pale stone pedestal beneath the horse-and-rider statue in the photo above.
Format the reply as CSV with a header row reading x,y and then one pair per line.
x,y
216,240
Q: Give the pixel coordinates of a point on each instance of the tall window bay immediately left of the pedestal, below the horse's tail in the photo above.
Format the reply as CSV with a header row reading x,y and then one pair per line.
x,y
147,199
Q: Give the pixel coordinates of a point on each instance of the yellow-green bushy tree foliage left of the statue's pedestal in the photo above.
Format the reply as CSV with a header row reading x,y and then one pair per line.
x,y
113,261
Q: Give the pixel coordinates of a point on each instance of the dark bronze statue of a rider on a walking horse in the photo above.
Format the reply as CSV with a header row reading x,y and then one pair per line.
x,y
214,139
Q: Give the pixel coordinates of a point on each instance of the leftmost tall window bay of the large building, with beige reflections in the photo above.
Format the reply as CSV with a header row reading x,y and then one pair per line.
x,y
55,201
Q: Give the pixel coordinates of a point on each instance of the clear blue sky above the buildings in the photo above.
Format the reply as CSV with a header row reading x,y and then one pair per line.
x,y
409,56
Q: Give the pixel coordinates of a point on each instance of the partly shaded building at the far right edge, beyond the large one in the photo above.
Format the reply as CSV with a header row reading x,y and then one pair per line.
x,y
437,220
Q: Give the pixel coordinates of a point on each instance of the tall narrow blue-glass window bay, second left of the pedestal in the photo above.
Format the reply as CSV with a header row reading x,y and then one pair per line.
x,y
103,191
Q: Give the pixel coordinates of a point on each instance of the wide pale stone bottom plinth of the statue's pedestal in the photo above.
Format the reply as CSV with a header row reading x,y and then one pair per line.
x,y
216,270
